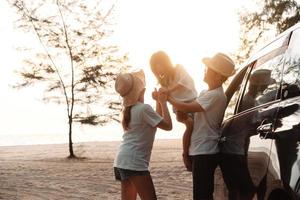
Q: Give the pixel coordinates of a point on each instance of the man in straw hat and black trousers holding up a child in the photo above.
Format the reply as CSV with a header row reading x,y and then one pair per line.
x,y
209,108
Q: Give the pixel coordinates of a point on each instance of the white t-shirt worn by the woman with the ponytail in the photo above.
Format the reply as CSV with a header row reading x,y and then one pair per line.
x,y
135,150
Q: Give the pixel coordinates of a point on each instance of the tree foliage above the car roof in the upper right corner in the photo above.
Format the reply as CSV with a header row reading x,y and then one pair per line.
x,y
272,17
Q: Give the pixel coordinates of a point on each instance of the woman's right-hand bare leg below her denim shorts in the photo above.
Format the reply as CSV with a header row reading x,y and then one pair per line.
x,y
144,187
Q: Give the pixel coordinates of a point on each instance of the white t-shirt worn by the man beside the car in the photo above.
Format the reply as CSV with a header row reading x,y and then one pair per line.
x,y
206,131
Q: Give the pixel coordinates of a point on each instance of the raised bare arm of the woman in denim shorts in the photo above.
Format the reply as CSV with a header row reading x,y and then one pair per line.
x,y
166,123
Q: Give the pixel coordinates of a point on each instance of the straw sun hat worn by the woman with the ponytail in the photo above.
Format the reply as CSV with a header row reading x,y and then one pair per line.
x,y
130,86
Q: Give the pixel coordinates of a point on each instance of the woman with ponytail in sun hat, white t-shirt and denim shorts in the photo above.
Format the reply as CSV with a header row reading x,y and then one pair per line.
x,y
139,123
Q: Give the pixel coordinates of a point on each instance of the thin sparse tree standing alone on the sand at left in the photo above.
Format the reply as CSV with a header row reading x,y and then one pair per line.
x,y
77,63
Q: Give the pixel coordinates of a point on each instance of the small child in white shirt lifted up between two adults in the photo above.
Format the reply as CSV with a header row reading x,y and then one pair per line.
x,y
177,83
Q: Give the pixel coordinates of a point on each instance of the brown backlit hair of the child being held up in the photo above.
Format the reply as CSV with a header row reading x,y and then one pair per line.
x,y
162,59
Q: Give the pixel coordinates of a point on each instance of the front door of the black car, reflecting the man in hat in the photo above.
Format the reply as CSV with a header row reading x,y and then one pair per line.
x,y
248,130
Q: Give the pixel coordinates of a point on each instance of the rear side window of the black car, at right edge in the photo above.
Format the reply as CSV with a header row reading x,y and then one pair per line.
x,y
291,73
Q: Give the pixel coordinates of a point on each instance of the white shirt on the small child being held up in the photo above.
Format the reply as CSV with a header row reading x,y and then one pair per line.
x,y
188,91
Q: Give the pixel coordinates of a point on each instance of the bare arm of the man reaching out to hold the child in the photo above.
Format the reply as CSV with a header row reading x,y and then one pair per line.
x,y
186,107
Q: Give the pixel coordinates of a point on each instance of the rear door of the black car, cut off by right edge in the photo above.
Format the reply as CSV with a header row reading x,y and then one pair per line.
x,y
287,129
